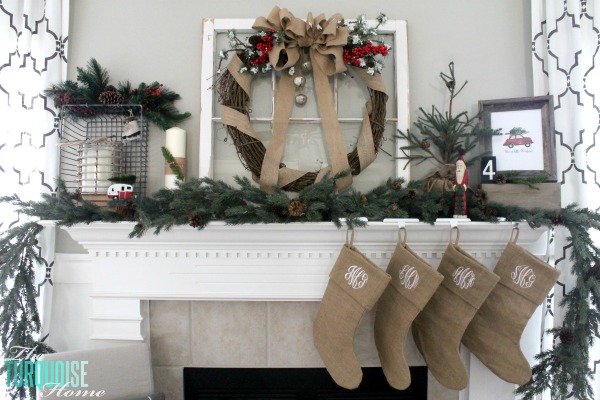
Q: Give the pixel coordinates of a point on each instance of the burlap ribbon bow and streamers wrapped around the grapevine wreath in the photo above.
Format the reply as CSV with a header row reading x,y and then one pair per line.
x,y
325,41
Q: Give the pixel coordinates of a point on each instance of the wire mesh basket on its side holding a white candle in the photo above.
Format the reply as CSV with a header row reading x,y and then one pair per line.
x,y
99,142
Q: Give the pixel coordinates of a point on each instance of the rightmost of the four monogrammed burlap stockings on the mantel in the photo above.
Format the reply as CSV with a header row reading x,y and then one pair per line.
x,y
494,334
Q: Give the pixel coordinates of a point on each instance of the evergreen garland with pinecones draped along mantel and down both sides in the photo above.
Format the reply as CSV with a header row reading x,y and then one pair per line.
x,y
564,370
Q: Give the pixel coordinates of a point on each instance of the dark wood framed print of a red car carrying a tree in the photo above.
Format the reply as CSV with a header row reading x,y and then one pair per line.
x,y
526,143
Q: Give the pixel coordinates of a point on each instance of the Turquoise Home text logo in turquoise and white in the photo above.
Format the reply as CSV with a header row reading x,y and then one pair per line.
x,y
52,378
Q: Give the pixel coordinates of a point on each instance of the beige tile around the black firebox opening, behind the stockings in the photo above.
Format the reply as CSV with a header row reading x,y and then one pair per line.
x,y
249,334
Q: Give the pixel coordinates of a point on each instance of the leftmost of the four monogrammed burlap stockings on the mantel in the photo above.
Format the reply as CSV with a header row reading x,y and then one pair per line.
x,y
355,284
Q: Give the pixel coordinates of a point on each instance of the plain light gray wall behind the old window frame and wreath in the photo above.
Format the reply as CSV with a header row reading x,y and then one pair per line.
x,y
146,40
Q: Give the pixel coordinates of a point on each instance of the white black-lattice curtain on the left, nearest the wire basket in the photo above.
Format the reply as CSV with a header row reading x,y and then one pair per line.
x,y
33,40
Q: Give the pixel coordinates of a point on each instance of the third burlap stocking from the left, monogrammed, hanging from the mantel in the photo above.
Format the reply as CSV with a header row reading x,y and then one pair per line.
x,y
438,329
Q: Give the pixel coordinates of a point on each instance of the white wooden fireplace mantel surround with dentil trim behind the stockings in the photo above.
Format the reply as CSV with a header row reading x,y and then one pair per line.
x,y
267,262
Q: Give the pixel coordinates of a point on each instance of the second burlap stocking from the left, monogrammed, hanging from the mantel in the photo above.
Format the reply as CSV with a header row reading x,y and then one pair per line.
x,y
412,285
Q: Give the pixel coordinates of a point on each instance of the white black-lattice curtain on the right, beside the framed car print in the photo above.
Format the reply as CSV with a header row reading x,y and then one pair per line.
x,y
566,43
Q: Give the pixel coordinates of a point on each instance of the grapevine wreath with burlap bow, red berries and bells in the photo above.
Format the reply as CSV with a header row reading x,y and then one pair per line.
x,y
280,44
